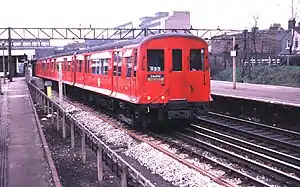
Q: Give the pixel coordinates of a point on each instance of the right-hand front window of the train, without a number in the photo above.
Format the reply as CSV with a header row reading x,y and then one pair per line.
x,y
196,59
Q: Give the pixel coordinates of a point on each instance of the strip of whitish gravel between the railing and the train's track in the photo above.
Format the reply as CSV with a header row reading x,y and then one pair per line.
x,y
159,163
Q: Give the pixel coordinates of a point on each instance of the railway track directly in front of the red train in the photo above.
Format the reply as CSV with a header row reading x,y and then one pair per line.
x,y
234,165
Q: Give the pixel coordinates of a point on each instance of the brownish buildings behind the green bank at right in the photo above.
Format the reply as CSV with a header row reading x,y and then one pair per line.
x,y
255,46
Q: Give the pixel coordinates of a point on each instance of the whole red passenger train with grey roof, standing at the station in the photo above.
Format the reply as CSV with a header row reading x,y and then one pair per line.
x,y
163,76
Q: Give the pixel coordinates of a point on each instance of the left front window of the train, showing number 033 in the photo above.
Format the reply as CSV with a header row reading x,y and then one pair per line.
x,y
156,60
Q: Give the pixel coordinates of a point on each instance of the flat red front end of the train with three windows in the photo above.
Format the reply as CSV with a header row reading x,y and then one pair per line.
x,y
176,77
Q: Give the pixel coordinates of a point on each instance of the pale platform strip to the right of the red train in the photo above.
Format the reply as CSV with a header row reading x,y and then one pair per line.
x,y
258,92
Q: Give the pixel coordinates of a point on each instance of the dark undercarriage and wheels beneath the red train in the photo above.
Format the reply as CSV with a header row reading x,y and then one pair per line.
x,y
140,115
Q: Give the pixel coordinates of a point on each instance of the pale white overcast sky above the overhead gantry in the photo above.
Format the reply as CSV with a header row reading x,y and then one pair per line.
x,y
234,14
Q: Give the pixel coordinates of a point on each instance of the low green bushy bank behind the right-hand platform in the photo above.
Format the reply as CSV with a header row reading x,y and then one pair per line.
x,y
281,75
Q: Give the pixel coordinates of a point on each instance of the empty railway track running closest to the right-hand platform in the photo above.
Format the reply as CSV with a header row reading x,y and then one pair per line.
x,y
278,143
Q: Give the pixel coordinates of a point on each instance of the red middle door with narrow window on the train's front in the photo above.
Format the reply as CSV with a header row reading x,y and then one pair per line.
x,y
177,78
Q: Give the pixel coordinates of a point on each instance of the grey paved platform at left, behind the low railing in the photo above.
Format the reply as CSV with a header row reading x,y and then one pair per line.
x,y
23,159
